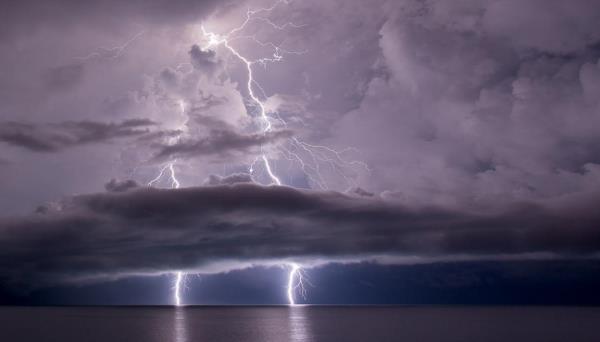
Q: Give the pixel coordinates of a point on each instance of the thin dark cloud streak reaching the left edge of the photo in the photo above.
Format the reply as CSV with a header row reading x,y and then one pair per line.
x,y
59,136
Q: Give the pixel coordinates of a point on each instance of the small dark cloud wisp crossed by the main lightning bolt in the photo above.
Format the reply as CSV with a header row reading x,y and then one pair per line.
x,y
220,142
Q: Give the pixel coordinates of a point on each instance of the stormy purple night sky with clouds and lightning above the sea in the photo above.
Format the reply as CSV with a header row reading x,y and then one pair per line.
x,y
397,151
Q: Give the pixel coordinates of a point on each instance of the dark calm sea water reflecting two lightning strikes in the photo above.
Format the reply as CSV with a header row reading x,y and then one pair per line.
x,y
250,324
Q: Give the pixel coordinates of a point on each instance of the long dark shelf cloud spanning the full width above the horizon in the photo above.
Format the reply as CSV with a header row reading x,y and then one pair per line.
x,y
148,230
